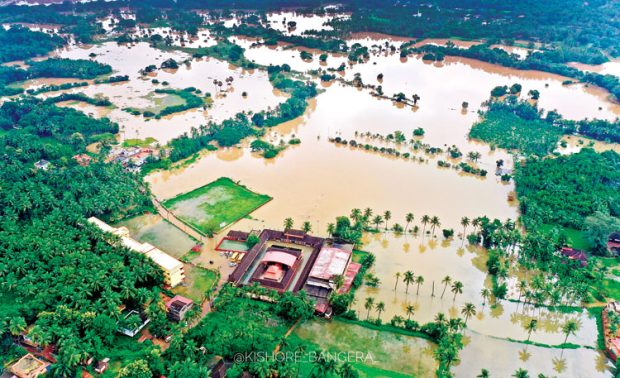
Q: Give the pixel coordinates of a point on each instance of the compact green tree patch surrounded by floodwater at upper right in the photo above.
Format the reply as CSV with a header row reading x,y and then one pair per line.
x,y
509,131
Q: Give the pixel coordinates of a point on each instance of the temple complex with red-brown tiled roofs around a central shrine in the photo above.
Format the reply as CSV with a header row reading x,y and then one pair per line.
x,y
292,260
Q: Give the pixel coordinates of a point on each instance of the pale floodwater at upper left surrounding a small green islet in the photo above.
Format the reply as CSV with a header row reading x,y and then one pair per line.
x,y
228,100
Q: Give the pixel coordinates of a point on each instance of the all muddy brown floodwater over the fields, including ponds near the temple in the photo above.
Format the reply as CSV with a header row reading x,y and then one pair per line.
x,y
318,180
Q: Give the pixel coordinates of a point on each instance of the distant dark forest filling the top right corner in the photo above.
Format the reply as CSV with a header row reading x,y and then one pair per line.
x,y
584,32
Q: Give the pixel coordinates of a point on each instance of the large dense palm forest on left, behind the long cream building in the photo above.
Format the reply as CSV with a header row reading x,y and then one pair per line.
x,y
58,274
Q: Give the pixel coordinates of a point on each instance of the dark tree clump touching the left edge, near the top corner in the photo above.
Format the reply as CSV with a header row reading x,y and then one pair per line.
x,y
19,43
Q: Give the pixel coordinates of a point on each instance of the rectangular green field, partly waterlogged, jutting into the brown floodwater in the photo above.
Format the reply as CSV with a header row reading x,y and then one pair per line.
x,y
216,205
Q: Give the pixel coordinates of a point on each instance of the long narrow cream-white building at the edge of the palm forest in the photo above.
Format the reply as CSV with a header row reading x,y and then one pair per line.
x,y
173,269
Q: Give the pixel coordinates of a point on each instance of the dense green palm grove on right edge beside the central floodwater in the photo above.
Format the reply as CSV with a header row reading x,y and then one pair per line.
x,y
567,189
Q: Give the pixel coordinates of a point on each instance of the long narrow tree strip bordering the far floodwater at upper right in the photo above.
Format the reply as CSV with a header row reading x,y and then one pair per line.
x,y
547,62
